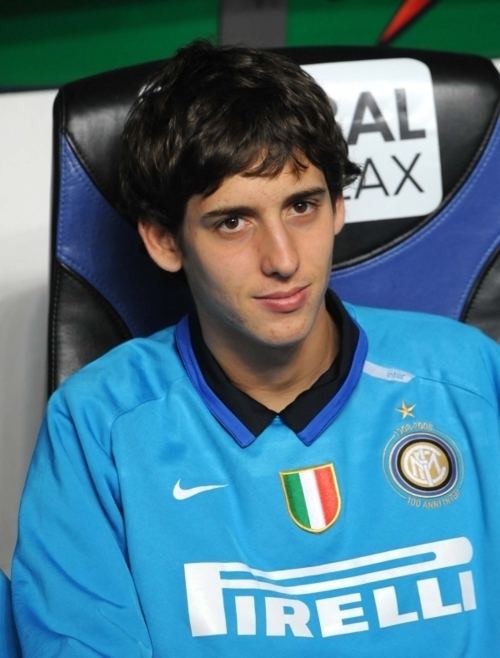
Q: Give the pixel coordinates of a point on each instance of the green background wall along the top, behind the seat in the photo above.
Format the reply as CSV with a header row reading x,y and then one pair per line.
x,y
48,42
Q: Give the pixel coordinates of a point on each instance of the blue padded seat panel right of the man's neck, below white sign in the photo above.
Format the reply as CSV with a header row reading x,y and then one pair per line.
x,y
435,269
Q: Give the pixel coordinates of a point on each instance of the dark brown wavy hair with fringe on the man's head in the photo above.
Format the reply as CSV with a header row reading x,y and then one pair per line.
x,y
213,112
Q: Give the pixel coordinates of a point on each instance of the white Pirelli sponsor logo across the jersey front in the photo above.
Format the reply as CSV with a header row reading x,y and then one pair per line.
x,y
400,586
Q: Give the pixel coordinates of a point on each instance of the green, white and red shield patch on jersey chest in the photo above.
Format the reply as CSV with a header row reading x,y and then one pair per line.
x,y
312,496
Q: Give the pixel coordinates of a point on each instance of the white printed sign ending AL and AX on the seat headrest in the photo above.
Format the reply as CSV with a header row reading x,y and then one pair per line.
x,y
387,112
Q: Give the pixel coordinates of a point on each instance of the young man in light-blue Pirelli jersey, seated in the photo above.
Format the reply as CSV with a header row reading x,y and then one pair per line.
x,y
277,473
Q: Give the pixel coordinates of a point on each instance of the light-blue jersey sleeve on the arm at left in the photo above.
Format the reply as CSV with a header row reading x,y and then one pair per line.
x,y
72,590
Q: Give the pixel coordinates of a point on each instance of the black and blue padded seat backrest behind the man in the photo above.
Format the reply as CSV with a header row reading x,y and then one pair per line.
x,y
424,218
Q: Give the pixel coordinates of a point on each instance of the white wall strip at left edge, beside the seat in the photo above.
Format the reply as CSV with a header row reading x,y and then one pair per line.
x,y
25,170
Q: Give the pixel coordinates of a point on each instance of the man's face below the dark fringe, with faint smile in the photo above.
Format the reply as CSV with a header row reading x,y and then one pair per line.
x,y
257,255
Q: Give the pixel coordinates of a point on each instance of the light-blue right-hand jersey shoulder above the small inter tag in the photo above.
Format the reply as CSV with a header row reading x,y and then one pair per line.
x,y
433,347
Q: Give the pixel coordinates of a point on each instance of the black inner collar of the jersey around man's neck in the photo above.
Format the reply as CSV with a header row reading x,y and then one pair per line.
x,y
299,413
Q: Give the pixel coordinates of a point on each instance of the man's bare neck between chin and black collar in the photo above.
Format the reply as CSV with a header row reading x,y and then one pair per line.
x,y
276,375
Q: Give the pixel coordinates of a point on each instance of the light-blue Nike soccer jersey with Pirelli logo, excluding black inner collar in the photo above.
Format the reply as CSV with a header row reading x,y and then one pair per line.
x,y
154,523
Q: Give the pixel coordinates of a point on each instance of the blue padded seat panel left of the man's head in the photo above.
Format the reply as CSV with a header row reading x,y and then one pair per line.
x,y
95,242
